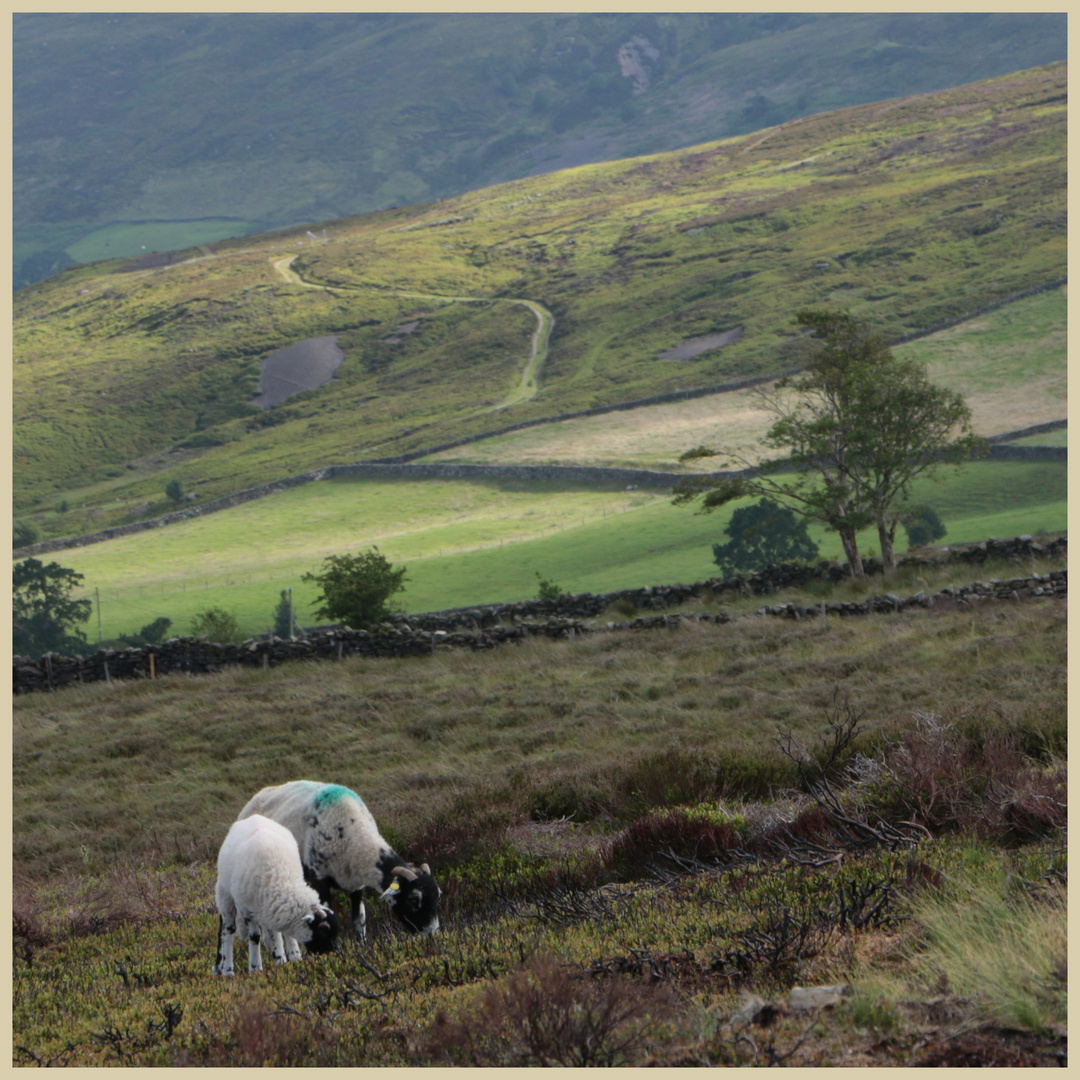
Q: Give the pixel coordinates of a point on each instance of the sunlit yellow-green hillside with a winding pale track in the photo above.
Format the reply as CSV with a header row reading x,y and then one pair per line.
x,y
911,213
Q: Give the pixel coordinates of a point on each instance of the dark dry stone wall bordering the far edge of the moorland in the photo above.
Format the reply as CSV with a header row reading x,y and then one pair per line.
x,y
489,626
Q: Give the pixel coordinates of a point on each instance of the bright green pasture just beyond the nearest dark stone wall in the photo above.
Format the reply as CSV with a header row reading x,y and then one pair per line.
x,y
479,543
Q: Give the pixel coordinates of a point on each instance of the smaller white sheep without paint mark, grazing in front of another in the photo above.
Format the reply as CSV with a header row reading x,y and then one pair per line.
x,y
261,883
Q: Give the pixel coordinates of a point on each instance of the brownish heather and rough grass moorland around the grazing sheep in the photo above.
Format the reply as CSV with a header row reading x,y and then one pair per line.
x,y
646,843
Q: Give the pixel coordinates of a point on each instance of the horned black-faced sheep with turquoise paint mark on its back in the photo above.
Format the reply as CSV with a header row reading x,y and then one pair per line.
x,y
342,848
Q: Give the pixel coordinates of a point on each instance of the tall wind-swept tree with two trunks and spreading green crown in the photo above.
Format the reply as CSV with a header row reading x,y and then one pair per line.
x,y
857,428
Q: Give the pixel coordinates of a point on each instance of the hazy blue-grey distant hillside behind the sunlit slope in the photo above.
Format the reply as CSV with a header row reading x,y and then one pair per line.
x,y
150,132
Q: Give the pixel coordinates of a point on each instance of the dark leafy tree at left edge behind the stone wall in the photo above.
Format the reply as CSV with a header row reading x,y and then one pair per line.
x,y
45,617
